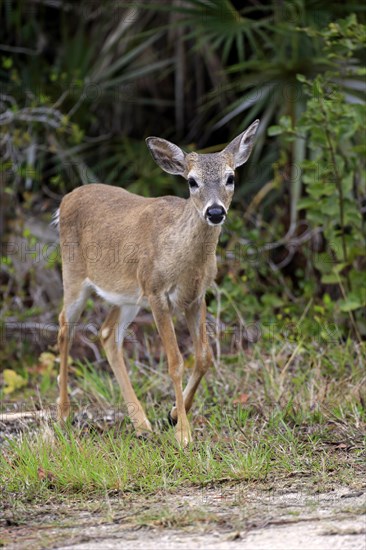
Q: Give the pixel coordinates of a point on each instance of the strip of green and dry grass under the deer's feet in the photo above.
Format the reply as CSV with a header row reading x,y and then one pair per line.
x,y
279,410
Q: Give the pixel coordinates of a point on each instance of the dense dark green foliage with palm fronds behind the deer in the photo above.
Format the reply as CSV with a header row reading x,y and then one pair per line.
x,y
83,83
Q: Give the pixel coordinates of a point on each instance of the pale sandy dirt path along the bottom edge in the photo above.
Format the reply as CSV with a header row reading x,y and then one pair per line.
x,y
243,516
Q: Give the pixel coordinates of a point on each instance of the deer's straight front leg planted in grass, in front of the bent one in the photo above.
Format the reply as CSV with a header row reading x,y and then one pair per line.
x,y
164,323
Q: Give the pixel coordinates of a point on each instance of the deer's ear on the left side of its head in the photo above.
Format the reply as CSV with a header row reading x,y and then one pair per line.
x,y
167,155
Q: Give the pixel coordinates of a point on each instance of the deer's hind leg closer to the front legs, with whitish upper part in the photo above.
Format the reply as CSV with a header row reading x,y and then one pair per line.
x,y
112,334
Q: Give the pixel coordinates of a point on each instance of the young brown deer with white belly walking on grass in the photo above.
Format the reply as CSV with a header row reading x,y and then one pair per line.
x,y
136,252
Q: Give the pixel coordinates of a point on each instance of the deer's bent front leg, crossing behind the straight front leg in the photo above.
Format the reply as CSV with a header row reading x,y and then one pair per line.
x,y
196,321
